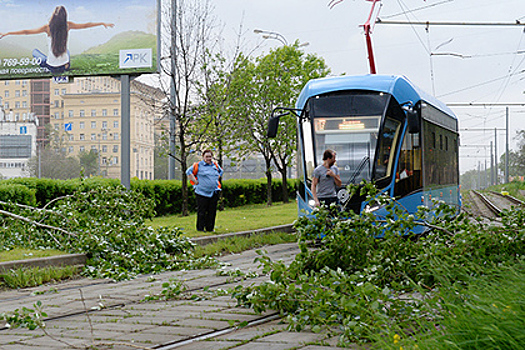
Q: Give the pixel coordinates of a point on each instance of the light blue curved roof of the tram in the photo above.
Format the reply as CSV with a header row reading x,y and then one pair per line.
x,y
398,86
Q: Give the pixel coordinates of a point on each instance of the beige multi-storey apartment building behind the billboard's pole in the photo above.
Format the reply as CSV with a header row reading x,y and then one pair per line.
x,y
86,113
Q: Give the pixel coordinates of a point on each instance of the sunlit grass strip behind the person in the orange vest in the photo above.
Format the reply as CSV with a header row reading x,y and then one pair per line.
x,y
235,219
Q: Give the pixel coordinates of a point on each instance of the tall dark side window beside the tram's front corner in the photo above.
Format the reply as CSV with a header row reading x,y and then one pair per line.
x,y
408,174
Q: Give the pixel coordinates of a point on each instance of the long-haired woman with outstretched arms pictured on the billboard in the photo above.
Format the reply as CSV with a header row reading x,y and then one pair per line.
x,y
57,61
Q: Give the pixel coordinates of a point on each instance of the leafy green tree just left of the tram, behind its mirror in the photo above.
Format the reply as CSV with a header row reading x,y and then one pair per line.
x,y
273,80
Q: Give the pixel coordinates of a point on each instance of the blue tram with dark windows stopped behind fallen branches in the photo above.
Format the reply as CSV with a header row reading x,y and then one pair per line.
x,y
384,129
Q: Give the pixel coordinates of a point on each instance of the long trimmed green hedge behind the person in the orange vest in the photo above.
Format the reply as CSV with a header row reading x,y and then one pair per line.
x,y
166,193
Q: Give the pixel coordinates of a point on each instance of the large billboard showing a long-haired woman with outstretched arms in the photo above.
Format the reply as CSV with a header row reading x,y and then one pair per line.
x,y
45,38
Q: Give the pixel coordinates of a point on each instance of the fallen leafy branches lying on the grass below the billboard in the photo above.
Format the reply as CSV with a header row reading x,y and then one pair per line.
x,y
105,223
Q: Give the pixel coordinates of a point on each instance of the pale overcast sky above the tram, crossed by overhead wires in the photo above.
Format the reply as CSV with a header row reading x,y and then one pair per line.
x,y
469,64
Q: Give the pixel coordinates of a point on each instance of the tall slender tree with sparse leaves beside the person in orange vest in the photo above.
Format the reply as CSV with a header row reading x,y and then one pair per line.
x,y
191,38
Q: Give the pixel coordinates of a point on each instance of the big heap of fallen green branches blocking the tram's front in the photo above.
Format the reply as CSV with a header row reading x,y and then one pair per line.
x,y
369,278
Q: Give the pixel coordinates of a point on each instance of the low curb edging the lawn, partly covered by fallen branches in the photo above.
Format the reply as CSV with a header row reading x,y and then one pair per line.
x,y
80,259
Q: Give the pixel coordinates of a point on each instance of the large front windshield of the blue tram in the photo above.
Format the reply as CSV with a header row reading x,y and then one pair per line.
x,y
348,123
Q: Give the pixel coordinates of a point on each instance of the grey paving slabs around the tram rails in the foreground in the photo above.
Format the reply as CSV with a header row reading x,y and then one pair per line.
x,y
121,319
